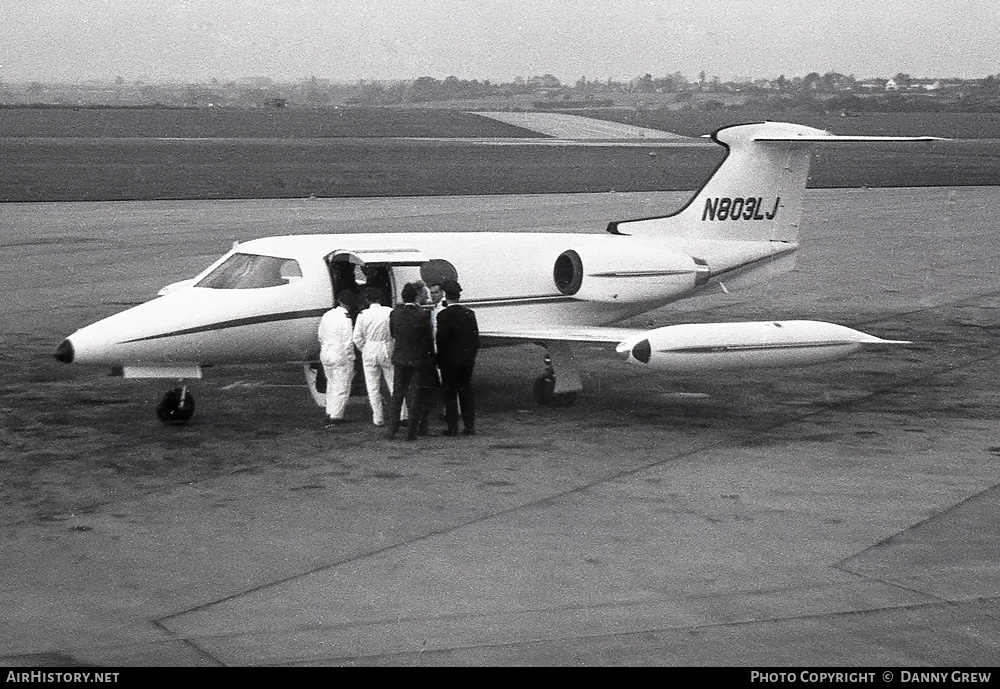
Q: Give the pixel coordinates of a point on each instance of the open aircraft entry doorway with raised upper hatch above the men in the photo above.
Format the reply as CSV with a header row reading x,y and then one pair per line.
x,y
386,269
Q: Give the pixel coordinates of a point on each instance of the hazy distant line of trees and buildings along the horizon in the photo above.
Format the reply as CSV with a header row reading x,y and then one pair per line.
x,y
830,91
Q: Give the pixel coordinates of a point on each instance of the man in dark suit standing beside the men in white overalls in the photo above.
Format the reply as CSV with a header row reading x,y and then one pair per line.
x,y
412,358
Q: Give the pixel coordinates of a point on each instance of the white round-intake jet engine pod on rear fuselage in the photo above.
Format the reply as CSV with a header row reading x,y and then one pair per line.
x,y
627,274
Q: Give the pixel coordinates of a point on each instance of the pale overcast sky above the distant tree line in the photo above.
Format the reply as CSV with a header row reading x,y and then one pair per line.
x,y
347,40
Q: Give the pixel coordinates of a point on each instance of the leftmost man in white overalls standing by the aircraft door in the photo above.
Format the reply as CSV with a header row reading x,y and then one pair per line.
x,y
336,353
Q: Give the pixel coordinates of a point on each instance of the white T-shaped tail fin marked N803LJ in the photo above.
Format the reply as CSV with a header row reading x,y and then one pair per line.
x,y
756,192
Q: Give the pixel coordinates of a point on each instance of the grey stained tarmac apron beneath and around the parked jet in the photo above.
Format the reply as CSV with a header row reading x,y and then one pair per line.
x,y
843,514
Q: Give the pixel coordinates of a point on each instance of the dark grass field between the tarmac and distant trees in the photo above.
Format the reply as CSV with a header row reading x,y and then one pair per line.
x,y
68,155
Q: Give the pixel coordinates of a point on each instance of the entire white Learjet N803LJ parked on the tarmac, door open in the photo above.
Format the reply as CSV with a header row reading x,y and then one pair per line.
x,y
262,301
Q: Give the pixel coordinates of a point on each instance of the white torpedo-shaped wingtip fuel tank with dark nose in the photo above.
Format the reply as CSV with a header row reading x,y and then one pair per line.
x,y
693,347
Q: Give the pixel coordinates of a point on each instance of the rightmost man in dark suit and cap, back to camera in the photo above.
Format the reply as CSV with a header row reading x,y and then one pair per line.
x,y
457,346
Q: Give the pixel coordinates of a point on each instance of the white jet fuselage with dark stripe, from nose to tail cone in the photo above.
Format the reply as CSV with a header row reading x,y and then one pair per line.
x,y
508,278
